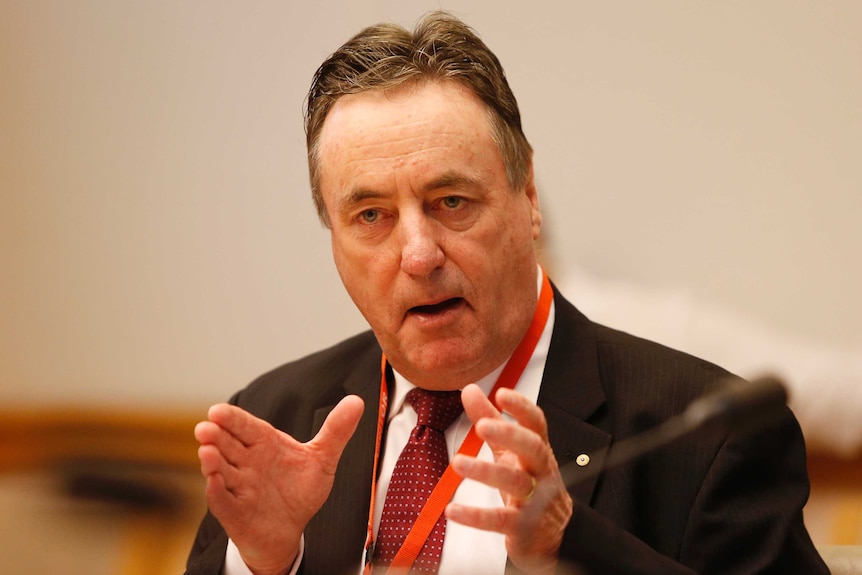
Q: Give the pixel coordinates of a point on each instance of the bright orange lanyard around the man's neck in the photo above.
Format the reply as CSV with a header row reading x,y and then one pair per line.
x,y
471,445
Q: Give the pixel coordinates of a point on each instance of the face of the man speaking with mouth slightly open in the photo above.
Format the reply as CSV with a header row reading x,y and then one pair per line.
x,y
434,247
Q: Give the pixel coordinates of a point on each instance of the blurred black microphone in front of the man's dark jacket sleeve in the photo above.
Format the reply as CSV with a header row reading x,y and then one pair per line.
x,y
736,405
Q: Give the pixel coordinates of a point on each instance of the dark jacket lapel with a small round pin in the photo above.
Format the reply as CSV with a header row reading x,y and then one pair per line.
x,y
573,399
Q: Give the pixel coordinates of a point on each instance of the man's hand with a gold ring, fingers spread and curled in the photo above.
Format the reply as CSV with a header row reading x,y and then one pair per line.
x,y
537,506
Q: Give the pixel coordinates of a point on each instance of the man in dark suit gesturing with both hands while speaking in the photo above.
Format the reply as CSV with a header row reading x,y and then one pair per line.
x,y
421,171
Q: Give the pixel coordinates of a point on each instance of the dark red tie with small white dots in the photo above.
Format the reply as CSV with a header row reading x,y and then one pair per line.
x,y
416,473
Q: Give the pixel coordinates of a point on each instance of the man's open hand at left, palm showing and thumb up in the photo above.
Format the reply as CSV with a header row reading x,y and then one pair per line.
x,y
264,486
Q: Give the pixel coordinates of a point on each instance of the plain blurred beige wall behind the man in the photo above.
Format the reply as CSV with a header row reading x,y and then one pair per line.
x,y
157,241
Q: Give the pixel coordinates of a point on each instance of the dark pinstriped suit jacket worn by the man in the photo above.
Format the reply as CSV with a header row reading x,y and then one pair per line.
x,y
714,503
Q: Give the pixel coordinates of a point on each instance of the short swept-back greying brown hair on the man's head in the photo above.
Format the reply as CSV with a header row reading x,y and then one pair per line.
x,y
441,47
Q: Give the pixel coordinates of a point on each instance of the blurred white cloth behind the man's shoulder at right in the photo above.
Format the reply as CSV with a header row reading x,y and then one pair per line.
x,y
824,382
